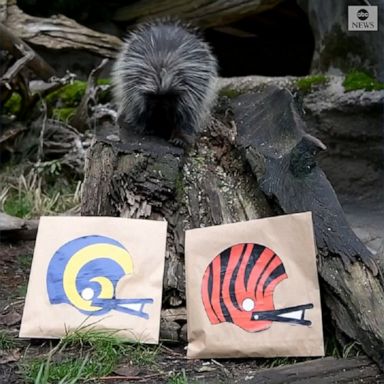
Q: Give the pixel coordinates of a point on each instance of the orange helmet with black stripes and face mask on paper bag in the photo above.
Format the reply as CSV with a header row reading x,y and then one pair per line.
x,y
238,286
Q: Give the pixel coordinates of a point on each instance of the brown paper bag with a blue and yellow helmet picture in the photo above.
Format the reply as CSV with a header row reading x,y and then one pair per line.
x,y
96,272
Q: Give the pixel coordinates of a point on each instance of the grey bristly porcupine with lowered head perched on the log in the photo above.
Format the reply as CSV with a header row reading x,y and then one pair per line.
x,y
164,81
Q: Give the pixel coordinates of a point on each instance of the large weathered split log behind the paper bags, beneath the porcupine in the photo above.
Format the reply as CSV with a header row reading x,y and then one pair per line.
x,y
254,160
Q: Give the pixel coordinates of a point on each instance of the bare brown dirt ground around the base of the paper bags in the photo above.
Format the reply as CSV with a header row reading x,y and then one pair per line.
x,y
15,262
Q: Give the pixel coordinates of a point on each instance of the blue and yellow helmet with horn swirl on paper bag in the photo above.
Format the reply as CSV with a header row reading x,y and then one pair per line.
x,y
84,273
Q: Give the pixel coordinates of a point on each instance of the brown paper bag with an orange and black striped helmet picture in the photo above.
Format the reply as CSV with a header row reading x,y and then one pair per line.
x,y
252,289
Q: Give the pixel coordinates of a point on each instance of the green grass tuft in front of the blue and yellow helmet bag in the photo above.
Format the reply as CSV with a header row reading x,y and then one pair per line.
x,y
86,355
